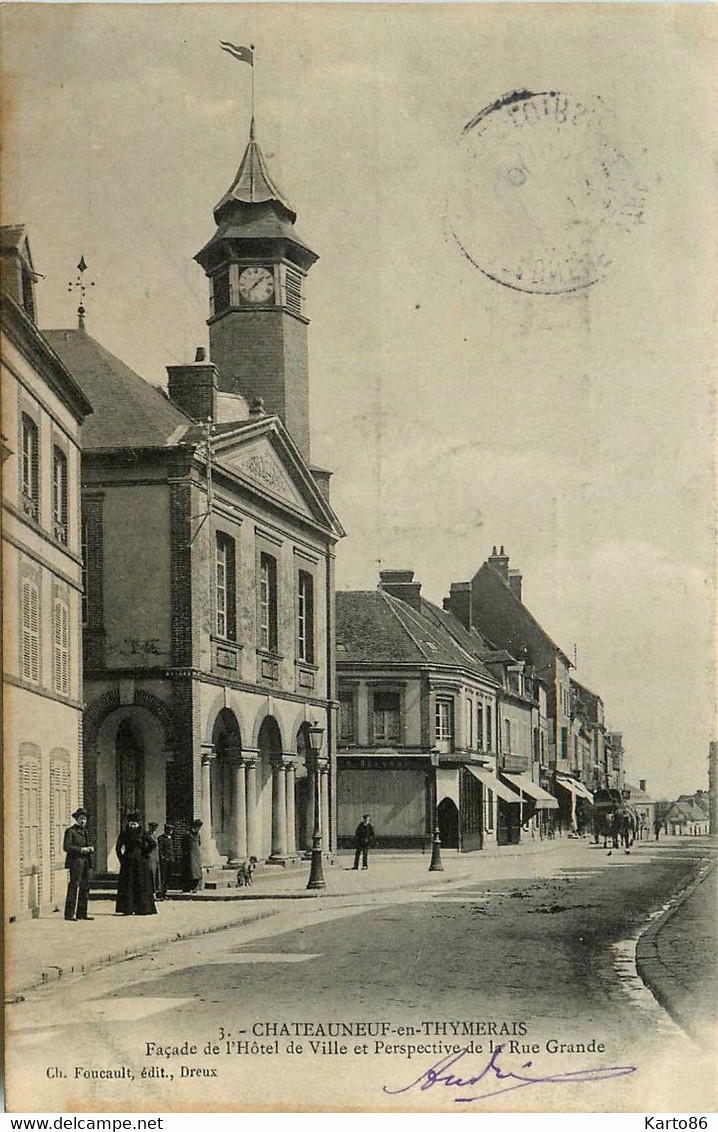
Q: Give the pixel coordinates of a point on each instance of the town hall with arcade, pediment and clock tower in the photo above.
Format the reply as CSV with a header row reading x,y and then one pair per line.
x,y
210,563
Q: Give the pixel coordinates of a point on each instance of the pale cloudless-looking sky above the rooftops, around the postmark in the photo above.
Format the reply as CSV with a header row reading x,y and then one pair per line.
x,y
457,414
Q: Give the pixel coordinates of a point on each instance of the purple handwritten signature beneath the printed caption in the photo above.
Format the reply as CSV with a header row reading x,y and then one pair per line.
x,y
493,1074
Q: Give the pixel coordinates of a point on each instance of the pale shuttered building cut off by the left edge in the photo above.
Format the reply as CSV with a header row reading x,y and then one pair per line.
x,y
42,411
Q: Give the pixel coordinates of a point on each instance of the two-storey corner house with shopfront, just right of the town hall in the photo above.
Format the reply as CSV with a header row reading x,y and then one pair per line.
x,y
431,731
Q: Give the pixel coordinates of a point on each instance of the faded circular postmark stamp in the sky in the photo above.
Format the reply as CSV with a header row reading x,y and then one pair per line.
x,y
544,193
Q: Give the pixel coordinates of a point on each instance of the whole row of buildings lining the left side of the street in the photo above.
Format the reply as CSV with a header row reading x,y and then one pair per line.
x,y
174,639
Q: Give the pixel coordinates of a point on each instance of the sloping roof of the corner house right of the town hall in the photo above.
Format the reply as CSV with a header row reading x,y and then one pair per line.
x,y
374,628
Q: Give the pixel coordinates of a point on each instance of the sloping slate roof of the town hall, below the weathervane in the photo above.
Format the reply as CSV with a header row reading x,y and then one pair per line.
x,y
129,411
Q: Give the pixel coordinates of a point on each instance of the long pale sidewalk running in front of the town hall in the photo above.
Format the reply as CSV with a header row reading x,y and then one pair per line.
x,y
42,950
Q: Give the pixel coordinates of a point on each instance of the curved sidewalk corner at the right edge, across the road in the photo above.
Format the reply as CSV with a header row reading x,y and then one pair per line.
x,y
677,958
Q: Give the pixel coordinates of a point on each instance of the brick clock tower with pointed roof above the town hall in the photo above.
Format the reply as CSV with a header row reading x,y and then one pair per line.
x,y
258,264
